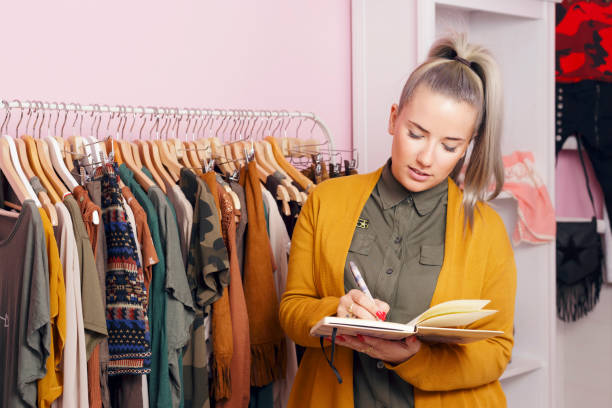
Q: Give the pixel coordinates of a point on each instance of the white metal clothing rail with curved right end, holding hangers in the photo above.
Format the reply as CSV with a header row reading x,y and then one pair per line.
x,y
159,110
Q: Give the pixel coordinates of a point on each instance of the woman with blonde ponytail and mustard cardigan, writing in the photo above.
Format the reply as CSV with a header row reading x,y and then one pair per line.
x,y
418,241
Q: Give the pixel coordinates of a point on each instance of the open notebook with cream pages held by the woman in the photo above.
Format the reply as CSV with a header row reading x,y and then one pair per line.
x,y
437,324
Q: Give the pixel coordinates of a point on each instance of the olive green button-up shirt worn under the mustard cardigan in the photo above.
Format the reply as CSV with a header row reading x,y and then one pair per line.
x,y
398,245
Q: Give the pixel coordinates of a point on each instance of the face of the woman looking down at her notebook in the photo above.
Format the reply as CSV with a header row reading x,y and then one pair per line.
x,y
430,135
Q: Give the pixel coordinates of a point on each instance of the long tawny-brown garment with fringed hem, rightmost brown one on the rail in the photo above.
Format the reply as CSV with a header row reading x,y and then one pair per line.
x,y
268,354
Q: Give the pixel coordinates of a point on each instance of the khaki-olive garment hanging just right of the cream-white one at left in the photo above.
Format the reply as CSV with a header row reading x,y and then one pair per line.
x,y
94,312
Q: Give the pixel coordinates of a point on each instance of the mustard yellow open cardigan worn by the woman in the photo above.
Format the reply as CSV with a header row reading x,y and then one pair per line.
x,y
478,264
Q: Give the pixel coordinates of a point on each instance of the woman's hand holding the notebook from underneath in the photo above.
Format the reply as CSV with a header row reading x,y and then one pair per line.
x,y
390,351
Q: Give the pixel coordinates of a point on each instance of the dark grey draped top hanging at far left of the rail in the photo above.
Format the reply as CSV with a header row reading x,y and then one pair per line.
x,y
25,321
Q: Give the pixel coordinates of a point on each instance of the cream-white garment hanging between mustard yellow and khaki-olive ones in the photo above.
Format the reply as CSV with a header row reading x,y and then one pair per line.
x,y
75,373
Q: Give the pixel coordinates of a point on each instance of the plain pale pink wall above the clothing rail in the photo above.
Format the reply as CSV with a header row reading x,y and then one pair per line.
x,y
265,54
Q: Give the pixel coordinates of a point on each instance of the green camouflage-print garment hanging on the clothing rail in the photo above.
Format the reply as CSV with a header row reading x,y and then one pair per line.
x,y
208,274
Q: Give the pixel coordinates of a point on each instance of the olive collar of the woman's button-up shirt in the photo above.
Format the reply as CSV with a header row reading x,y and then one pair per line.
x,y
393,193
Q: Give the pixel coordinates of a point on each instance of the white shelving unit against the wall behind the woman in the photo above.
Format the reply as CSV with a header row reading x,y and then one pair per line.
x,y
389,39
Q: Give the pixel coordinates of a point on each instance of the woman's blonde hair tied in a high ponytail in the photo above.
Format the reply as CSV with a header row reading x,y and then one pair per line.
x,y
468,73
